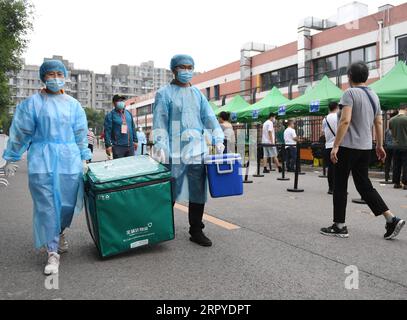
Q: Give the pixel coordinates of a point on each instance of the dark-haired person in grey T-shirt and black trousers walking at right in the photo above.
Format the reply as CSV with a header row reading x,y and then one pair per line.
x,y
360,112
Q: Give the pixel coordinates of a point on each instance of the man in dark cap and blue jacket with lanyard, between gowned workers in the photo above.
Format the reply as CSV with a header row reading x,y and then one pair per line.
x,y
120,132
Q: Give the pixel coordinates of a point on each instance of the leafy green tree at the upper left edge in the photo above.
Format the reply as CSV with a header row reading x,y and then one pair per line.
x,y
15,24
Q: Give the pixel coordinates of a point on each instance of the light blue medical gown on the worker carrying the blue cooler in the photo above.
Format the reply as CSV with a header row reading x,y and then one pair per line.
x,y
182,120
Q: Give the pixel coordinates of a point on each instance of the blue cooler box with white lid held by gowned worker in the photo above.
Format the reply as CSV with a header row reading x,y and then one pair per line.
x,y
225,175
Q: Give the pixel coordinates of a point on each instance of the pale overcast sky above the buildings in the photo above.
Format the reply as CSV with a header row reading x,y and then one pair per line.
x,y
95,34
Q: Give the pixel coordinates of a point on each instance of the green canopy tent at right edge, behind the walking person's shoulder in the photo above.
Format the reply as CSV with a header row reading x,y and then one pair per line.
x,y
392,88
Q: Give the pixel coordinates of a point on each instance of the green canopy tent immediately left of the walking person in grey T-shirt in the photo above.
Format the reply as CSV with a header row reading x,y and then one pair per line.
x,y
314,102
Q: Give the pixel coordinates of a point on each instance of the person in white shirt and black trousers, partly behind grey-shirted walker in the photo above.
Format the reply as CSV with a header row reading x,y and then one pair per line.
x,y
330,126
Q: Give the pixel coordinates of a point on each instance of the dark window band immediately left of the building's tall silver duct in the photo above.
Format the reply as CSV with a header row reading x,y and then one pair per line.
x,y
279,78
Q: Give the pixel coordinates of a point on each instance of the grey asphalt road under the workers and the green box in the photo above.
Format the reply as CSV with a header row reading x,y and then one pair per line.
x,y
276,253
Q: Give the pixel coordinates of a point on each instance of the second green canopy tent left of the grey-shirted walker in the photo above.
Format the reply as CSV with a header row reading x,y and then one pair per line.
x,y
262,109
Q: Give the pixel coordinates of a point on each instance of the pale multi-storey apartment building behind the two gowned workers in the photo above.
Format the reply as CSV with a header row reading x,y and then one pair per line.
x,y
91,89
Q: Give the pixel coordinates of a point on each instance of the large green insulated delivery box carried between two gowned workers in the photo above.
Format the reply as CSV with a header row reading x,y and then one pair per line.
x,y
128,204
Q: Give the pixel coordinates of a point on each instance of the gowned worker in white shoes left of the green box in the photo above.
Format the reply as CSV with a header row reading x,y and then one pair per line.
x,y
54,127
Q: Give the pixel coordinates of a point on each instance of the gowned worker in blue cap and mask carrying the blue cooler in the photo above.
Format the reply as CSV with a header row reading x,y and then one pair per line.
x,y
182,118
